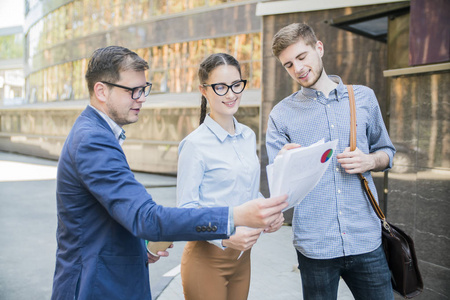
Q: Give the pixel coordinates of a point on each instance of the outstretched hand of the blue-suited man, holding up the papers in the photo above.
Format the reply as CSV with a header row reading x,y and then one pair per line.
x,y
259,213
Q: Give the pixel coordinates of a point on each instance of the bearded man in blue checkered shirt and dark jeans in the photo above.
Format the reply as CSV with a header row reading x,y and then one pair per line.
x,y
336,232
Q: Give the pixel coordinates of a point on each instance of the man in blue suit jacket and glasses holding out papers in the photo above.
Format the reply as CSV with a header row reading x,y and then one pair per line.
x,y
104,214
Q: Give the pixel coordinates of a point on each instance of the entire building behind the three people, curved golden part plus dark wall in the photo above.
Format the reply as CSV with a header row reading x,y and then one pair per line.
x,y
398,48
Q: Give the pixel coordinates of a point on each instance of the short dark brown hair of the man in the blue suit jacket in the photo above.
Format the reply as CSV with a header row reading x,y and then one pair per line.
x,y
107,63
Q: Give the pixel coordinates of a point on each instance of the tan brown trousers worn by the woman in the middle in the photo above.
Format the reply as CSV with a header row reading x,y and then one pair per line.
x,y
210,273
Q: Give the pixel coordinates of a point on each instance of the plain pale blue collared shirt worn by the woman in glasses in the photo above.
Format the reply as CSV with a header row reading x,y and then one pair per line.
x,y
216,168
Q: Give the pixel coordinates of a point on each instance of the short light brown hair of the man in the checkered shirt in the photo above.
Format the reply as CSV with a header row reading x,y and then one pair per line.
x,y
291,34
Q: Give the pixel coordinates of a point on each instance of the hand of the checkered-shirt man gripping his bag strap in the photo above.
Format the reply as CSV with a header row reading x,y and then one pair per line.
x,y
355,162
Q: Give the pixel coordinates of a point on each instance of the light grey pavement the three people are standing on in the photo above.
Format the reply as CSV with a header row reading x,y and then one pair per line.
x,y
28,244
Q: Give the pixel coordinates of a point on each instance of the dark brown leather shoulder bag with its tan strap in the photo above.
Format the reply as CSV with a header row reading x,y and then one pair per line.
x,y
398,246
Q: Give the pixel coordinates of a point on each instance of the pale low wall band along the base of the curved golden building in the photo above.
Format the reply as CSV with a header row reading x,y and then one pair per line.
x,y
152,142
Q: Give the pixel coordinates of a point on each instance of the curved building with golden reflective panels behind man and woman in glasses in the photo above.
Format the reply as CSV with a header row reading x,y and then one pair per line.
x,y
173,36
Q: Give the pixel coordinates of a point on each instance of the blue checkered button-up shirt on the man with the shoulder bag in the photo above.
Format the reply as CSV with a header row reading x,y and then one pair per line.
x,y
335,219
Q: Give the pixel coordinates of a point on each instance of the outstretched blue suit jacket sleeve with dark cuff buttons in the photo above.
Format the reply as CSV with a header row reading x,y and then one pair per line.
x,y
103,169
